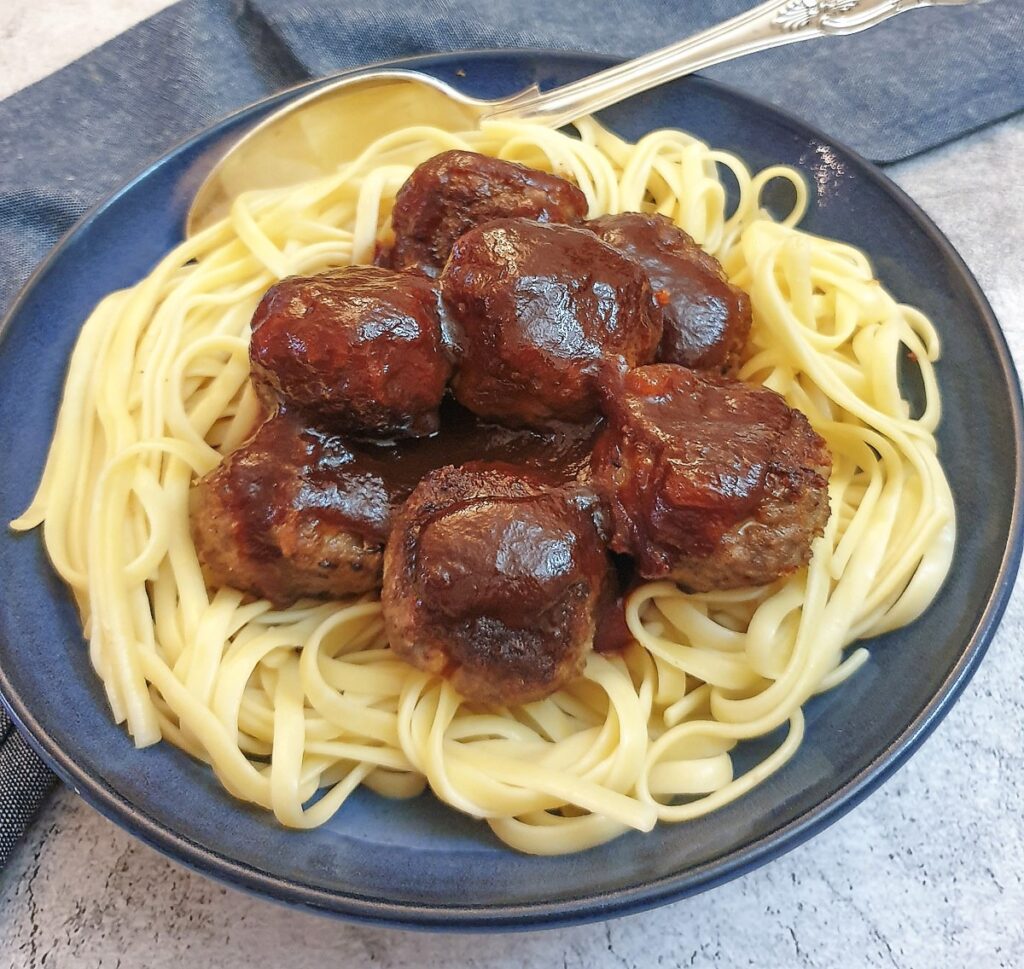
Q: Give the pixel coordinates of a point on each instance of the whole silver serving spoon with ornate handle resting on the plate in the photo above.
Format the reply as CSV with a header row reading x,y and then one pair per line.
x,y
315,135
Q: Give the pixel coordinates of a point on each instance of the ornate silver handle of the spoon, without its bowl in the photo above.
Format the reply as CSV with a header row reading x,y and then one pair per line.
x,y
771,25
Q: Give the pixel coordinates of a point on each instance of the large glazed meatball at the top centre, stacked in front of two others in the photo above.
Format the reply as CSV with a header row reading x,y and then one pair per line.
x,y
538,314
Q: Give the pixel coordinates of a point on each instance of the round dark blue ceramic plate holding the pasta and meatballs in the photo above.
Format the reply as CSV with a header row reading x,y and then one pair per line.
x,y
419,864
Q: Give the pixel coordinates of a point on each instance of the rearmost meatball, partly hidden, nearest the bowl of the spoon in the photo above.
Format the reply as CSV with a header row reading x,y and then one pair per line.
x,y
454,192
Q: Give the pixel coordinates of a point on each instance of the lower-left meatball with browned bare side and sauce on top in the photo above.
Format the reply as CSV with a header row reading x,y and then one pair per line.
x,y
292,513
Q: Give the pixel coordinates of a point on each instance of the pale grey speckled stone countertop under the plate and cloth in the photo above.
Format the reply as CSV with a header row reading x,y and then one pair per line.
x,y
928,873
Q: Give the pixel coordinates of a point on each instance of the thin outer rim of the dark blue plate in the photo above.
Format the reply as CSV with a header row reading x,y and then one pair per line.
x,y
620,902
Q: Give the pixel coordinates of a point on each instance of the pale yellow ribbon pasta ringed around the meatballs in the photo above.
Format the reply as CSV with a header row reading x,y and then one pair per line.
x,y
294,709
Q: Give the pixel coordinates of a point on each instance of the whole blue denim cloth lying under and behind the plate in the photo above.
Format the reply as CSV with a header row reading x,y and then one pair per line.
x,y
71,140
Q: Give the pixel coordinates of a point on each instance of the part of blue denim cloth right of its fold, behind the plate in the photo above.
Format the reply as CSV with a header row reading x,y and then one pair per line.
x,y
908,86
